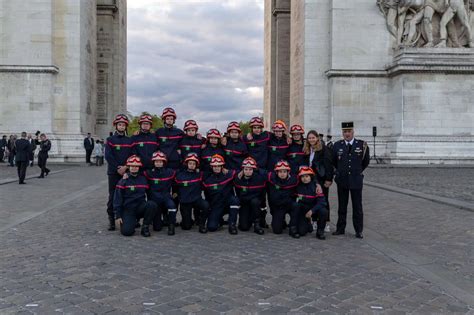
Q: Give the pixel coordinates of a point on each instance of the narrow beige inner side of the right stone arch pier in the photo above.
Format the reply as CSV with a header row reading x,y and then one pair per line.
x,y
277,60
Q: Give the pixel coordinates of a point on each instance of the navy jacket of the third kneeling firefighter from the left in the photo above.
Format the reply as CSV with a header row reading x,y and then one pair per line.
x,y
189,185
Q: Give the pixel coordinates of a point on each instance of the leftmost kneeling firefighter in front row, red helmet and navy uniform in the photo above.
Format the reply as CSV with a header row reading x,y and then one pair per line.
x,y
130,202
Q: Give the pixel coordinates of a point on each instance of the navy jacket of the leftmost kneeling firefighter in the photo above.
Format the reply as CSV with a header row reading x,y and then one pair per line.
x,y
129,193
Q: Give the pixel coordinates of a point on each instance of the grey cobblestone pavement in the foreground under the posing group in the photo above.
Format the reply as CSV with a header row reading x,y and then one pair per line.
x,y
416,257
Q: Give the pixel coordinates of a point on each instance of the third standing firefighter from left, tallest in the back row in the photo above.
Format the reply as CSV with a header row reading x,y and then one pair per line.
x,y
169,137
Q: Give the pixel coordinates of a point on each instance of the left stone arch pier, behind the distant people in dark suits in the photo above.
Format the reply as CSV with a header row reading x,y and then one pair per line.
x,y
62,70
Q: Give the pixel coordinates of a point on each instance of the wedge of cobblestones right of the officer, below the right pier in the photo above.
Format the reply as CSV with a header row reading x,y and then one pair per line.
x,y
447,182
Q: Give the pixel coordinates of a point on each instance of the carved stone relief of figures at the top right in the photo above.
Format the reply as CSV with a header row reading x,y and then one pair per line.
x,y
429,23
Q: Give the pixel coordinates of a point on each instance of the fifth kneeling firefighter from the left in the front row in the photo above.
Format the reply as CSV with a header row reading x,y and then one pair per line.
x,y
250,186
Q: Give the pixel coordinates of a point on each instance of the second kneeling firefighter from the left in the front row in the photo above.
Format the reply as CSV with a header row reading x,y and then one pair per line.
x,y
160,179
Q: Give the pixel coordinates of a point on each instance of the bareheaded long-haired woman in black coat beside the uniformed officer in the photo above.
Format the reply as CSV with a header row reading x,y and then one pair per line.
x,y
319,157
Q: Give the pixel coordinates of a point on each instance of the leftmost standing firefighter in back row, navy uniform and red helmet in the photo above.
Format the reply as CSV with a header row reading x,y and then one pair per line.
x,y
118,149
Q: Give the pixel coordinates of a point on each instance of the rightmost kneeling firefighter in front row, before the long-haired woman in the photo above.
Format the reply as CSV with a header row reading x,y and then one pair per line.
x,y
310,202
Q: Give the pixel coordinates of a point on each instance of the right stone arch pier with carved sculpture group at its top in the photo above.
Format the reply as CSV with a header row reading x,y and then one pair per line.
x,y
385,64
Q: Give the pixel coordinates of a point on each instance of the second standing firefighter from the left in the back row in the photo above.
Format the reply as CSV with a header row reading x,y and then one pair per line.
x,y
145,143
